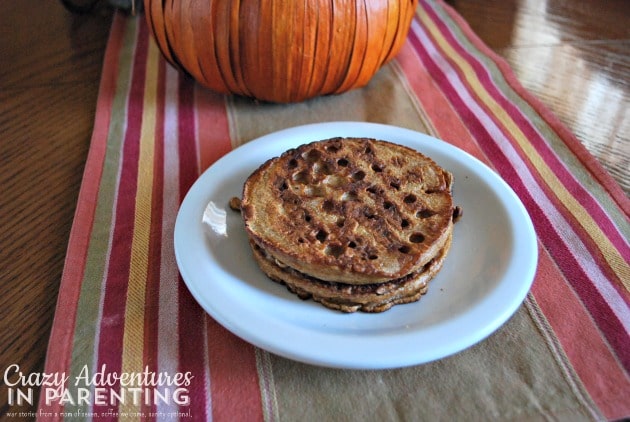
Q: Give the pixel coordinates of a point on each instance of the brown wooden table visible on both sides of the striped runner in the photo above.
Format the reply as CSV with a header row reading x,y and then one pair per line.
x,y
571,55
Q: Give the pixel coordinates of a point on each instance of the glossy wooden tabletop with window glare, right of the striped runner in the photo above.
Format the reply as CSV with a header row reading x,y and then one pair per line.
x,y
575,57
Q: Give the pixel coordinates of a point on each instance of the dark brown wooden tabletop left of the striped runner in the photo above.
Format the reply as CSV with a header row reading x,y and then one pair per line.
x,y
49,74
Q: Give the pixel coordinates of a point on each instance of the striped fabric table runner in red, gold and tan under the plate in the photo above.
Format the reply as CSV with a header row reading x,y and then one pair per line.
x,y
125,321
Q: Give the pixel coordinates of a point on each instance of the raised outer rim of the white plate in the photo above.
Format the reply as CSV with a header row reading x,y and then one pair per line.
x,y
346,128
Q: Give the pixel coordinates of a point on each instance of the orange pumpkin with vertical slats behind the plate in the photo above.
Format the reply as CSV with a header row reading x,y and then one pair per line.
x,y
280,50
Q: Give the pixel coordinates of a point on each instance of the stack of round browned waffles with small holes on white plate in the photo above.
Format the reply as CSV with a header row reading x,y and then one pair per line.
x,y
353,223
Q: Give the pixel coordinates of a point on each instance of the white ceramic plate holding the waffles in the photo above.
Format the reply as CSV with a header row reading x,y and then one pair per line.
x,y
485,278
